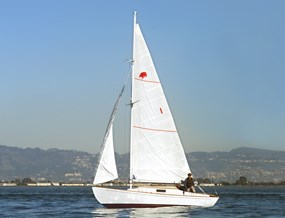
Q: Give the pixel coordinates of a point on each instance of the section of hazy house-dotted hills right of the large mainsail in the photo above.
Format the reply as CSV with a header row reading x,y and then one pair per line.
x,y
258,165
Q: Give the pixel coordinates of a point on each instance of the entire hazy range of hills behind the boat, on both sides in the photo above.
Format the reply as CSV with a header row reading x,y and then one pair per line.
x,y
257,165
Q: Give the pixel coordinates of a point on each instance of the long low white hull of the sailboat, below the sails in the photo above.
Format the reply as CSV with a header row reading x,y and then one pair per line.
x,y
151,197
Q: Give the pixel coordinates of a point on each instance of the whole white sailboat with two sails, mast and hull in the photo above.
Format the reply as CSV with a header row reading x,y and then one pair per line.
x,y
157,156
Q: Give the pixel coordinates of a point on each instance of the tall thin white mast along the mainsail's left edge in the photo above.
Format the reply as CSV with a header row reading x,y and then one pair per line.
x,y
132,82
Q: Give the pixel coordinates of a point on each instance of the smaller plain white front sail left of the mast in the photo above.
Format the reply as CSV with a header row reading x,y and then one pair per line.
x,y
106,168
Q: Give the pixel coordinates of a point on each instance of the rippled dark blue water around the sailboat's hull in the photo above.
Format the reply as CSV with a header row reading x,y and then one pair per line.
x,y
80,202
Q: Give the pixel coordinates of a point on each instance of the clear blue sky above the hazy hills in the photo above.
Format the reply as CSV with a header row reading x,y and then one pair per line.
x,y
221,63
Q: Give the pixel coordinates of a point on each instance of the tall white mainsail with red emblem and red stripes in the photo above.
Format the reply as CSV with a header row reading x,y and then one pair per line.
x,y
157,154
